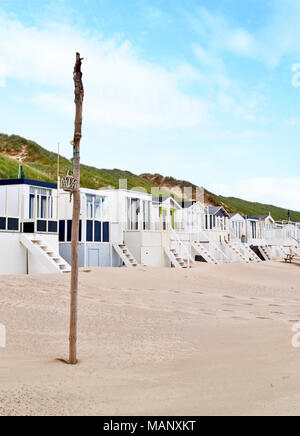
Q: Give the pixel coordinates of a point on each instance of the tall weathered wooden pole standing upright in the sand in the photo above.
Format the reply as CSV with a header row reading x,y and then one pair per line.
x,y
79,95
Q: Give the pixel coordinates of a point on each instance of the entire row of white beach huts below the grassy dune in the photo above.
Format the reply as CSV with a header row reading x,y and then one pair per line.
x,y
120,227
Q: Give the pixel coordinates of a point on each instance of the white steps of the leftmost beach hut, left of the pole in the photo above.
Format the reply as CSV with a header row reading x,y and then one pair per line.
x,y
51,260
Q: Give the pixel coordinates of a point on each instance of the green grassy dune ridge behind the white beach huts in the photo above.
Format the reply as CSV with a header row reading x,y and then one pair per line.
x,y
41,164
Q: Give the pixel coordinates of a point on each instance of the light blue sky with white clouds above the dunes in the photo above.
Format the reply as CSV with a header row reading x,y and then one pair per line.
x,y
202,90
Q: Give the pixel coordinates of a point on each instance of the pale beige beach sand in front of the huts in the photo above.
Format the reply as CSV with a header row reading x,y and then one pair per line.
x,y
209,341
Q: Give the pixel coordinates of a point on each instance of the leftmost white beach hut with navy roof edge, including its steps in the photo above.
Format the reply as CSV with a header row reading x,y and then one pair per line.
x,y
28,228
